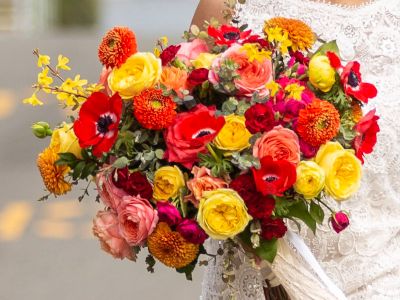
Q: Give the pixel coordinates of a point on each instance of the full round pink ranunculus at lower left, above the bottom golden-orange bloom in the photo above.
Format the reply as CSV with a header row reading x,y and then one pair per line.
x,y
137,219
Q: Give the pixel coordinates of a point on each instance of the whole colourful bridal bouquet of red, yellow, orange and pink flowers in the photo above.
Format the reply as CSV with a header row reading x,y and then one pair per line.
x,y
227,135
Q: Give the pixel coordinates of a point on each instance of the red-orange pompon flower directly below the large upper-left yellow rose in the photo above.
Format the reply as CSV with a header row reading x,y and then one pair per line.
x,y
153,110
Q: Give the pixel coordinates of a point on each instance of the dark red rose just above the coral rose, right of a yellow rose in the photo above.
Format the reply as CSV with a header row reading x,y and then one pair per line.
x,y
260,118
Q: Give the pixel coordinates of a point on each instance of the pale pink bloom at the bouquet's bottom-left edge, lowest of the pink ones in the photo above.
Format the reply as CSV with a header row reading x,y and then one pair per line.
x,y
105,227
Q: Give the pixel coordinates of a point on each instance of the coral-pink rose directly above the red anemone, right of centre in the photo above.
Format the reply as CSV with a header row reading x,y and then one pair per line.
x,y
280,143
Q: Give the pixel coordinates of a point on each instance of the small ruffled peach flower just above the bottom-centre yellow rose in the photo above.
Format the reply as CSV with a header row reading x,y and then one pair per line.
x,y
202,181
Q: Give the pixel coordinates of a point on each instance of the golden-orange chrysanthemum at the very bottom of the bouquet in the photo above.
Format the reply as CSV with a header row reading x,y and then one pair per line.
x,y
170,247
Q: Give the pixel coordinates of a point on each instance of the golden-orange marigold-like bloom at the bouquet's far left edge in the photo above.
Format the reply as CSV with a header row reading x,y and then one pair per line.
x,y
53,175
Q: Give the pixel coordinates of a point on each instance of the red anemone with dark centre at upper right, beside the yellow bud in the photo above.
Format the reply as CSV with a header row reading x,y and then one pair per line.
x,y
351,79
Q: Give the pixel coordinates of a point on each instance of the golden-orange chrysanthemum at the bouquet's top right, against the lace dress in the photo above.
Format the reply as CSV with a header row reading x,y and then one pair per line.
x,y
299,33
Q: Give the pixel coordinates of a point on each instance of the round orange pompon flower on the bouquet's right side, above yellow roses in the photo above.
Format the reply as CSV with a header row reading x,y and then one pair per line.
x,y
318,123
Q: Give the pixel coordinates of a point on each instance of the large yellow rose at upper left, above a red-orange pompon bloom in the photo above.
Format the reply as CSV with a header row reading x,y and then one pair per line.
x,y
140,71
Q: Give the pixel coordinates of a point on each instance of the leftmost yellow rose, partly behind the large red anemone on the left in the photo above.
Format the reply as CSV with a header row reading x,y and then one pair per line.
x,y
64,140
